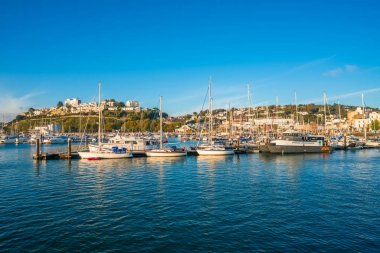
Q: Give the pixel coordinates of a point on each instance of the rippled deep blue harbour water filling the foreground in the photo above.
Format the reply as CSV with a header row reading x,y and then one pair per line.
x,y
228,204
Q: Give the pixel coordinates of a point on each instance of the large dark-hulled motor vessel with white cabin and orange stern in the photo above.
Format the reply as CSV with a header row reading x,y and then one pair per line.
x,y
297,142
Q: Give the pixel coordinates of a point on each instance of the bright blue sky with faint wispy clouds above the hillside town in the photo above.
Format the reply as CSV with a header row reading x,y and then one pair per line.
x,y
52,50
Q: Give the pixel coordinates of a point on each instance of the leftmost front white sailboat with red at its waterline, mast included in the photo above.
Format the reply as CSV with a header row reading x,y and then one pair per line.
x,y
101,152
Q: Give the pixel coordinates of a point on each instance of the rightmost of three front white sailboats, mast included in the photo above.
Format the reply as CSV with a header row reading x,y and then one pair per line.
x,y
213,148
